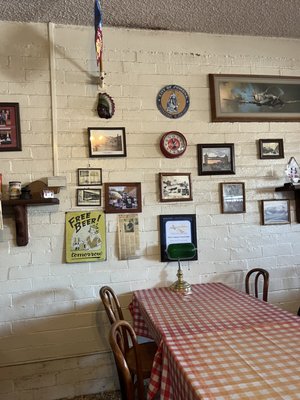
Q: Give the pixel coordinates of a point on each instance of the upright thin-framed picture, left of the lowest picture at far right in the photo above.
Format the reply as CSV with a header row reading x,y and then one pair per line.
x,y
233,197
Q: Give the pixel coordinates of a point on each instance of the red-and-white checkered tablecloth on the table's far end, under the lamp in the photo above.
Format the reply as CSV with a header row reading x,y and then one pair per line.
x,y
211,308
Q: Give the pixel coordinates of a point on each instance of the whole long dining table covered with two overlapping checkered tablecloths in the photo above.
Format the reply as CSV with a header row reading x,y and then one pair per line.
x,y
218,343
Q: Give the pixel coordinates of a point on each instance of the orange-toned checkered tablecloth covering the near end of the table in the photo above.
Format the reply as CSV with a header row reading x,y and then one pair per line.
x,y
260,362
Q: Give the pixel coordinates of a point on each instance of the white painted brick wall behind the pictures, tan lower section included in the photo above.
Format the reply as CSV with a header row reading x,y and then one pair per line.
x,y
53,329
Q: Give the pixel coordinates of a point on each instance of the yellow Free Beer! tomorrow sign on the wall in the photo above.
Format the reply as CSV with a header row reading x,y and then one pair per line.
x,y
85,236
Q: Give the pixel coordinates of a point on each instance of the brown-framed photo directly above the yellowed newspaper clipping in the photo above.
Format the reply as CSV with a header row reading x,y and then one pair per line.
x,y
123,197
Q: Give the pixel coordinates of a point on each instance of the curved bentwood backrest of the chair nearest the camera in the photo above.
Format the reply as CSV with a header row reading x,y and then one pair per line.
x,y
120,334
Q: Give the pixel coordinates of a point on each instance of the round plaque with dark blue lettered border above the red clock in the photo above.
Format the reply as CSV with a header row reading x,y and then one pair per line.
x,y
172,101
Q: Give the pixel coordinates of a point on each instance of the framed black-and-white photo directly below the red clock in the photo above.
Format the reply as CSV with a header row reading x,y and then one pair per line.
x,y
175,187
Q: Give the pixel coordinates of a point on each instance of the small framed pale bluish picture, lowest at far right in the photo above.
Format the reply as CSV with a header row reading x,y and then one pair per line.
x,y
276,212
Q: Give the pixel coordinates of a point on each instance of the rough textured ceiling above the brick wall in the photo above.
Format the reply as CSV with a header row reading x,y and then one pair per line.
x,y
277,18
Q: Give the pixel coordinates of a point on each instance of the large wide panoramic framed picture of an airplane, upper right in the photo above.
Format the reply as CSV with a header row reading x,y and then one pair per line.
x,y
254,98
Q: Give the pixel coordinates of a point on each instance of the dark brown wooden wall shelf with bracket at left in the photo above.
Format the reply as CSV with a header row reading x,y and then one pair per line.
x,y
20,211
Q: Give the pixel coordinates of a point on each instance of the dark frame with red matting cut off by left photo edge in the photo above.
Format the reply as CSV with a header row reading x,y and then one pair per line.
x,y
10,131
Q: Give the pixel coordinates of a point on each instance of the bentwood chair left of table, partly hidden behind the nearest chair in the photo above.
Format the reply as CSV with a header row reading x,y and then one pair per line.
x,y
147,350
